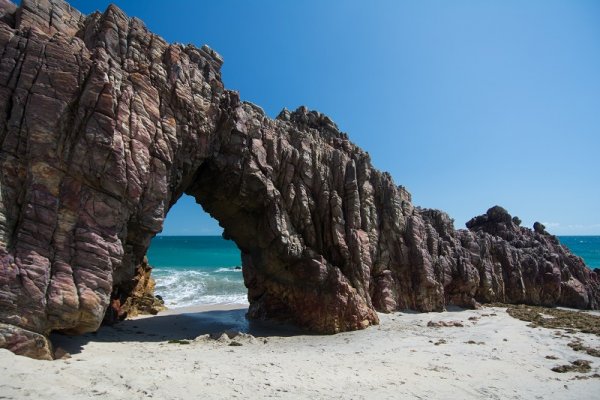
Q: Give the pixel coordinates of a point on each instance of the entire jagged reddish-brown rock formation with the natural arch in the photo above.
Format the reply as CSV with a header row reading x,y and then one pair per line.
x,y
105,125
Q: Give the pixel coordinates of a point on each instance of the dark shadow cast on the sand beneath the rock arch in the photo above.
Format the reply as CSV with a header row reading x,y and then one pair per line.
x,y
184,326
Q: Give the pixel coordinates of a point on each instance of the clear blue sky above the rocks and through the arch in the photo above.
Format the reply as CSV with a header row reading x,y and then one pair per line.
x,y
468,104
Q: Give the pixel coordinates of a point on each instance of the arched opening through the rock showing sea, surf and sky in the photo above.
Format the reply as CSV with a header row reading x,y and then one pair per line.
x,y
192,263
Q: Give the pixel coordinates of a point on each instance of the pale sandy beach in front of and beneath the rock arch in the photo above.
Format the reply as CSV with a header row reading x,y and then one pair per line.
x,y
397,359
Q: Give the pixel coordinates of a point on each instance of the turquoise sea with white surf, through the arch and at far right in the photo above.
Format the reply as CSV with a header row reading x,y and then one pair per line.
x,y
192,270
